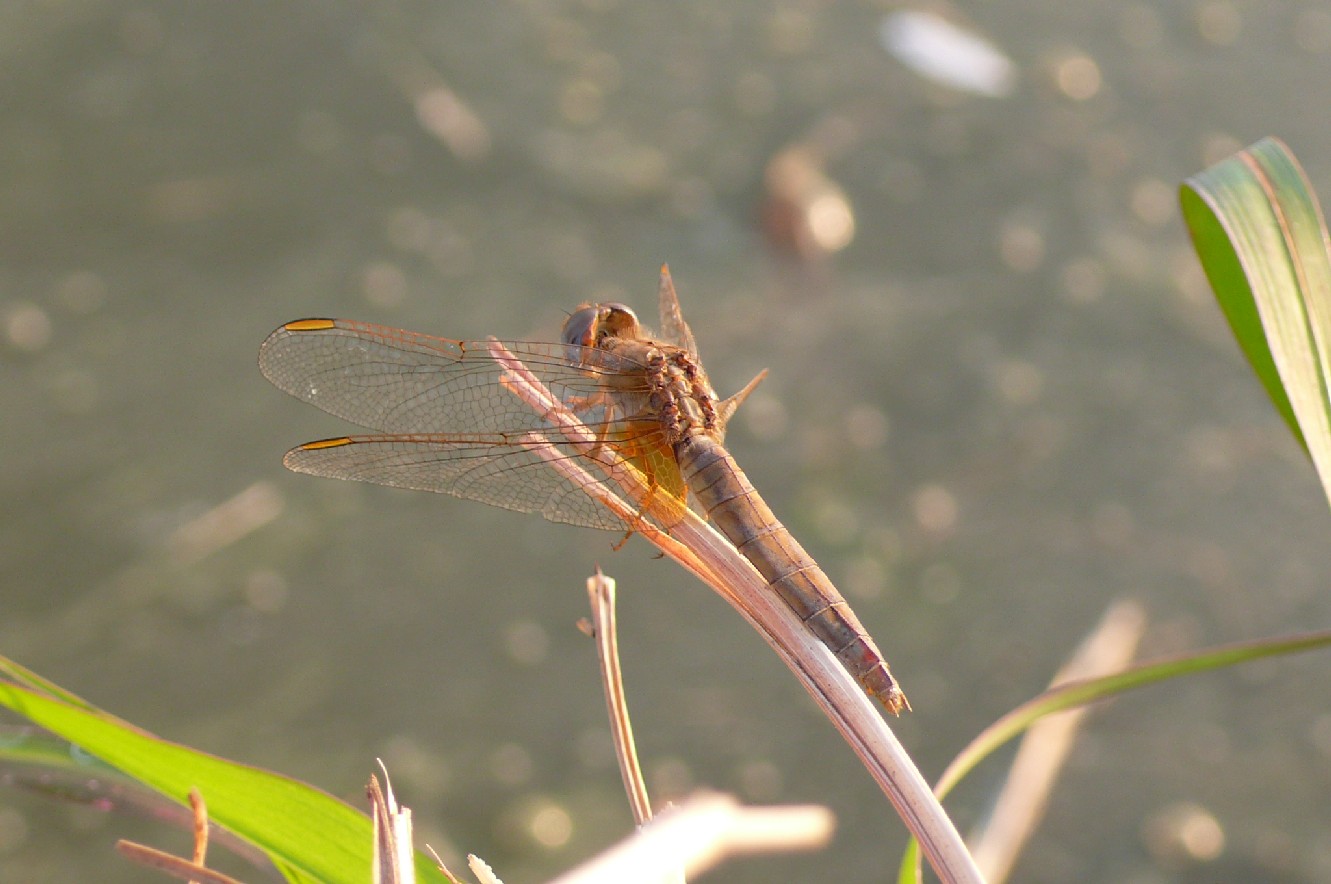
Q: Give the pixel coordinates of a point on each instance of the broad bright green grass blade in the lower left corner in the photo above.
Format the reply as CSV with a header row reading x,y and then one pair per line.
x,y
308,834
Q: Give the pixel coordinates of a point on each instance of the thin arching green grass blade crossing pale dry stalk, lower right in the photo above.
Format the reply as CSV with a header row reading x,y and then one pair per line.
x,y
1073,694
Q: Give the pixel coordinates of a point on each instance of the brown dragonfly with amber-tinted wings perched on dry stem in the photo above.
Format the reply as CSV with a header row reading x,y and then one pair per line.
x,y
453,417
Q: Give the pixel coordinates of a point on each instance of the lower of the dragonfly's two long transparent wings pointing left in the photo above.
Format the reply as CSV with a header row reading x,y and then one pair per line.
x,y
480,468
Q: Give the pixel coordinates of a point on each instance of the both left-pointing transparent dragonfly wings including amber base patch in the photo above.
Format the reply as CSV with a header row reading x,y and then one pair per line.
x,y
455,427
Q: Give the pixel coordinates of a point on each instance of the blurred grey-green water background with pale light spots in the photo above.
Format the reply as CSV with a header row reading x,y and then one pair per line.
x,y
1006,405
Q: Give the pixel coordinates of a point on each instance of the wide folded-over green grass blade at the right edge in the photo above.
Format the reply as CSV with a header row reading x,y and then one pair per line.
x,y
1260,234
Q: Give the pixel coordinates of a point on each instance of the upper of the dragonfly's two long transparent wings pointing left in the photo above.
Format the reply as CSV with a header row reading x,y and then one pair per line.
x,y
401,383
